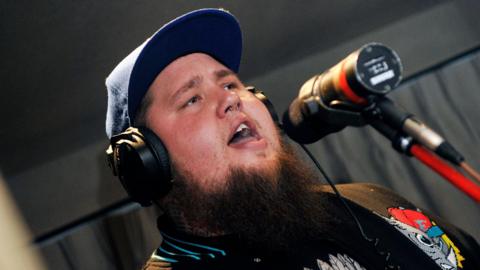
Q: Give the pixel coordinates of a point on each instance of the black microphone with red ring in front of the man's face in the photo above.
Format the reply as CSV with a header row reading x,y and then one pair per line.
x,y
330,101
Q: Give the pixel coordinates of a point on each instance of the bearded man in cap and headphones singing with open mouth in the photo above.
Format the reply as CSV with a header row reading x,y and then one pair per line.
x,y
239,196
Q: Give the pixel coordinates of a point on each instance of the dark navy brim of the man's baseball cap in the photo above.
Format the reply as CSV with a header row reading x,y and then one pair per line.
x,y
211,31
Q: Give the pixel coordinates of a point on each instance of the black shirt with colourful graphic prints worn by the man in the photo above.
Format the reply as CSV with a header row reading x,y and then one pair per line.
x,y
400,237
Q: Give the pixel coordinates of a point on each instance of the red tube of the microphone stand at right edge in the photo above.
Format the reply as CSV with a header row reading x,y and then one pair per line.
x,y
442,168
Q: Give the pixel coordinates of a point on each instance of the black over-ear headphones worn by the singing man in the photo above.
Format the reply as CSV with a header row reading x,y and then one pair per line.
x,y
141,161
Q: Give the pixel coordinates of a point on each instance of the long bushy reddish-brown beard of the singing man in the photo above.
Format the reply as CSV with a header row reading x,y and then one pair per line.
x,y
273,208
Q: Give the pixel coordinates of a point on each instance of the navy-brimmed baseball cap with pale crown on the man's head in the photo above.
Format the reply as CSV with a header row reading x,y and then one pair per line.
x,y
215,32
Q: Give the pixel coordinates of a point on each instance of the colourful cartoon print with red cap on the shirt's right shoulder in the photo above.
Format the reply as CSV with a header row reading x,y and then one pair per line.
x,y
429,237
